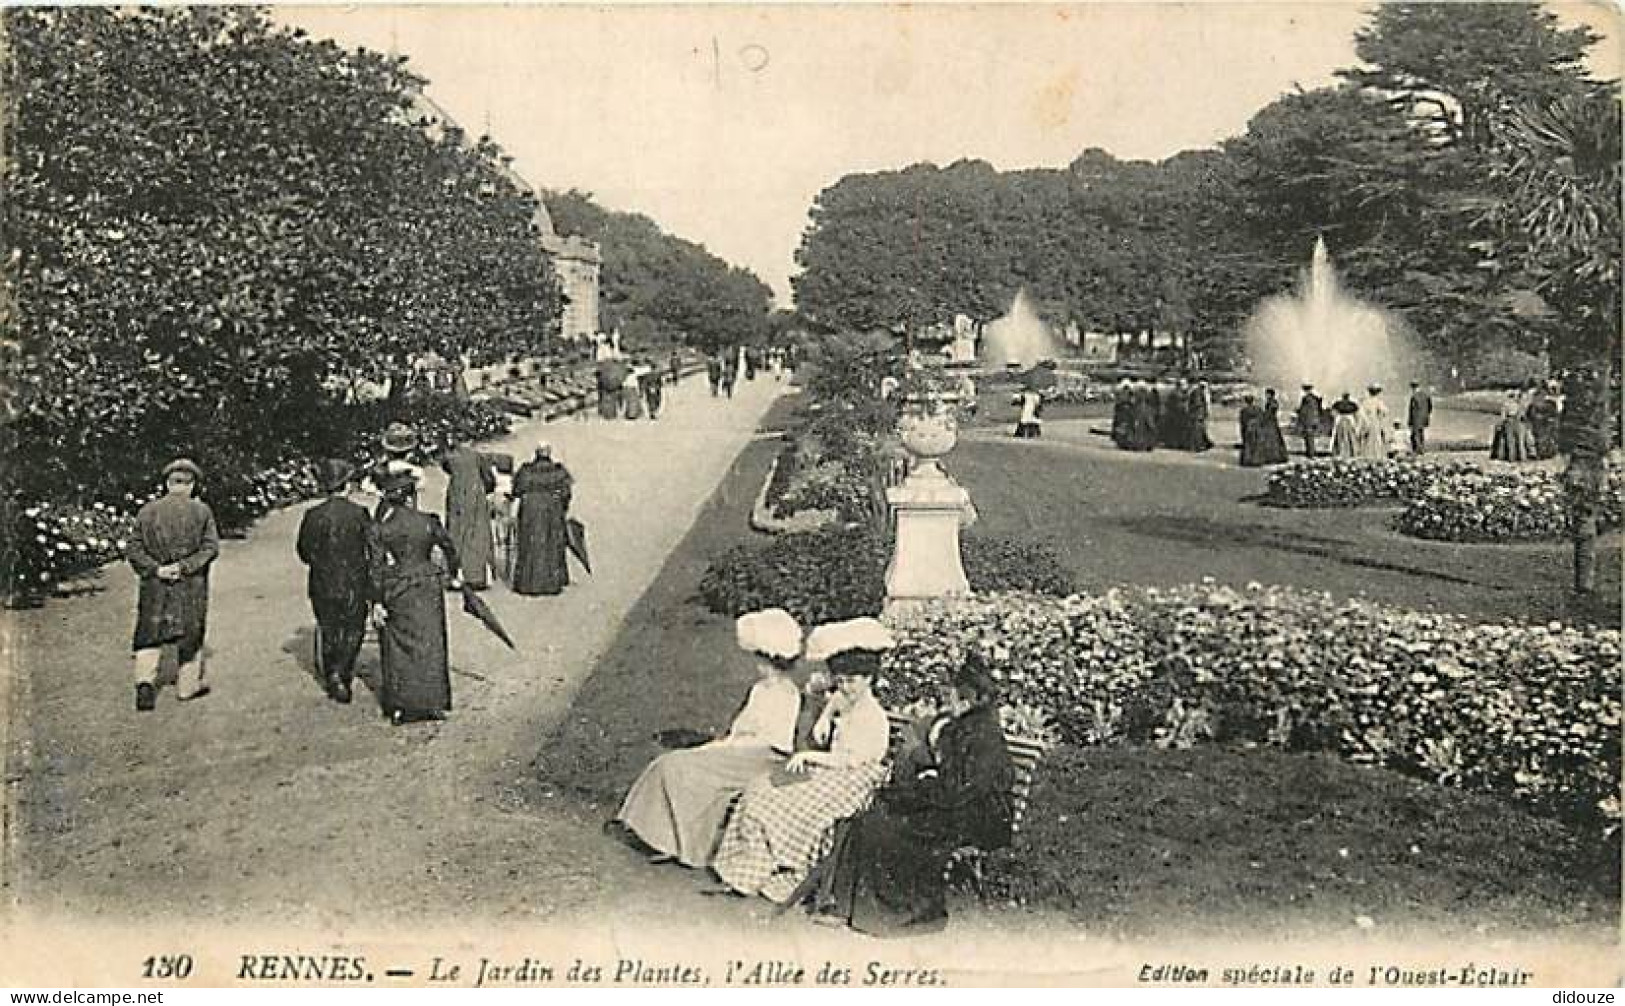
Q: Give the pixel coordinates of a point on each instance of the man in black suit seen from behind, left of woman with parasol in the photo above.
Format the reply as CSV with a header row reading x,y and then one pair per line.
x,y
336,540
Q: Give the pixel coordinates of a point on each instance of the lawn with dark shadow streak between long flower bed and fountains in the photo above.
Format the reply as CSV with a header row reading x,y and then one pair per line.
x,y
1172,519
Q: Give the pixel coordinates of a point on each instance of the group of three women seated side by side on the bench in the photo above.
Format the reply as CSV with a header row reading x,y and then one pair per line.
x,y
841,818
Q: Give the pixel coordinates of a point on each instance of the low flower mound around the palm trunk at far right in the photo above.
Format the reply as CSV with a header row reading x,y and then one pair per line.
x,y
1504,505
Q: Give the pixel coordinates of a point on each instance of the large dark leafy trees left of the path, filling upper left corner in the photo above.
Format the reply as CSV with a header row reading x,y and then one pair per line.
x,y
214,228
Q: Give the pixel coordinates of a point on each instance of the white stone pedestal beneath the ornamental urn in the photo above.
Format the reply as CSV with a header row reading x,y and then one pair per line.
x,y
925,562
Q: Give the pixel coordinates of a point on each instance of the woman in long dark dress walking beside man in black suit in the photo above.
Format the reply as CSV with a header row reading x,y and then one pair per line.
x,y
412,607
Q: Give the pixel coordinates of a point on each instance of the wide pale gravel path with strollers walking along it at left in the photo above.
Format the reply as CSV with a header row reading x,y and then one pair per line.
x,y
269,802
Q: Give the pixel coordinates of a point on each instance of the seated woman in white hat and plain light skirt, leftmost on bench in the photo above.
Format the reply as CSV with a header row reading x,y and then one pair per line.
x,y
678,805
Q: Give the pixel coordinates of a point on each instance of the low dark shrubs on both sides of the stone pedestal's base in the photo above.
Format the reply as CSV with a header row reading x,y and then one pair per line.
x,y
833,575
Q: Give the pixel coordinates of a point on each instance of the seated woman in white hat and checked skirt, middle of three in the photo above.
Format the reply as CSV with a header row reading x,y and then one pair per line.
x,y
778,831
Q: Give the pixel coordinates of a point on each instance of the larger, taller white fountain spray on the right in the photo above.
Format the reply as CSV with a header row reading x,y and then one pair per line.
x,y
1322,336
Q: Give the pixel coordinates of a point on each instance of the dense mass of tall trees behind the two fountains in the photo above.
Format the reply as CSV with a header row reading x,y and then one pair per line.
x,y
1405,168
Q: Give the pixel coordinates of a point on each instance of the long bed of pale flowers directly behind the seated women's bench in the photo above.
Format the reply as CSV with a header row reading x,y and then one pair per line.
x,y
1527,713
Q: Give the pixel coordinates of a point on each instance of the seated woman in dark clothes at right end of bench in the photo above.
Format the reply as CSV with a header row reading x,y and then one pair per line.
x,y
886,872
